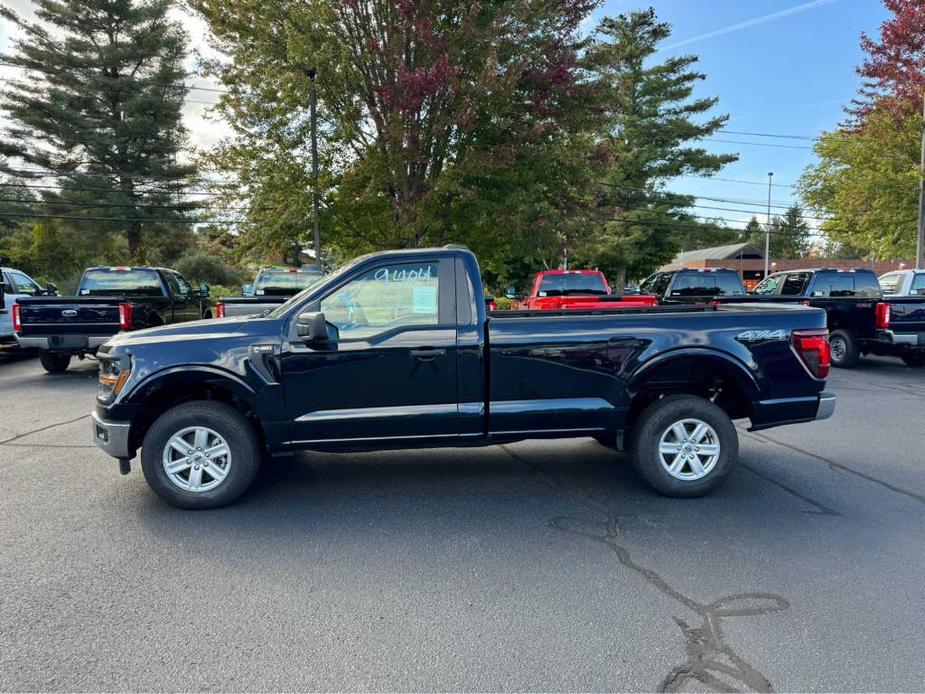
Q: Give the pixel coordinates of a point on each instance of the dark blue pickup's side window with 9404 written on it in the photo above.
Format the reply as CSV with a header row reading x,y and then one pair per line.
x,y
384,298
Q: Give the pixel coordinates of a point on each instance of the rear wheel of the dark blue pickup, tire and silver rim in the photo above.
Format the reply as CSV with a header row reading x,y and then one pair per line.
x,y
684,446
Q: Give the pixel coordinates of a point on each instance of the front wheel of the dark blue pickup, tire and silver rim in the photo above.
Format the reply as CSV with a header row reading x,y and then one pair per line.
x,y
201,454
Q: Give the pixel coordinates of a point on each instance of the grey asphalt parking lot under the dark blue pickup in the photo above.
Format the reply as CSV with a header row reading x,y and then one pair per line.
x,y
535,566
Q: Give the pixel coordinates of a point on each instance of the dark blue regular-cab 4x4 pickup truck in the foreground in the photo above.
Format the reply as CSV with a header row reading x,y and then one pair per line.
x,y
396,349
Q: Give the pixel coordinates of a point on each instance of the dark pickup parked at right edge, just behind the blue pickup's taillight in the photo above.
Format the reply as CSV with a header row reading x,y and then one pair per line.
x,y
861,321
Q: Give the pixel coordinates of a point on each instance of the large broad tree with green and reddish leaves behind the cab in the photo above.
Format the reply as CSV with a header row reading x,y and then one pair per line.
x,y
439,121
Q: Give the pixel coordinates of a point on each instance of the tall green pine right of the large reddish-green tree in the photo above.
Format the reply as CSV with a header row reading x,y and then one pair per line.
x,y
652,128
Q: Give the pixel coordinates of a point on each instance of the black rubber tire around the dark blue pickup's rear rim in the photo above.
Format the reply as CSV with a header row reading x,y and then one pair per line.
x,y
656,420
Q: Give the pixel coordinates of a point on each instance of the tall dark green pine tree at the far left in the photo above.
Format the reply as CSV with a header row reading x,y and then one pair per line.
x,y
99,112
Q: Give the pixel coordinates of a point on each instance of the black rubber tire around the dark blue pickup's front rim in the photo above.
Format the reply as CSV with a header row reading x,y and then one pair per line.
x,y
224,420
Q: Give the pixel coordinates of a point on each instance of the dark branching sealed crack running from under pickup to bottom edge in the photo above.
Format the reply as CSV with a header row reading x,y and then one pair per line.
x,y
710,660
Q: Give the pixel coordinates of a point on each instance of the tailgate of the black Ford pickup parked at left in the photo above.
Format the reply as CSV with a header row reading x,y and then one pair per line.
x,y
69,316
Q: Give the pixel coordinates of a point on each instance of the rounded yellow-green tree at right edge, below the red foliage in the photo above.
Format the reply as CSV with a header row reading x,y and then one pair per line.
x,y
867,181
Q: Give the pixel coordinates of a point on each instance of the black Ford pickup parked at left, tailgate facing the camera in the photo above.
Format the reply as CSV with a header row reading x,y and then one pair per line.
x,y
109,300
